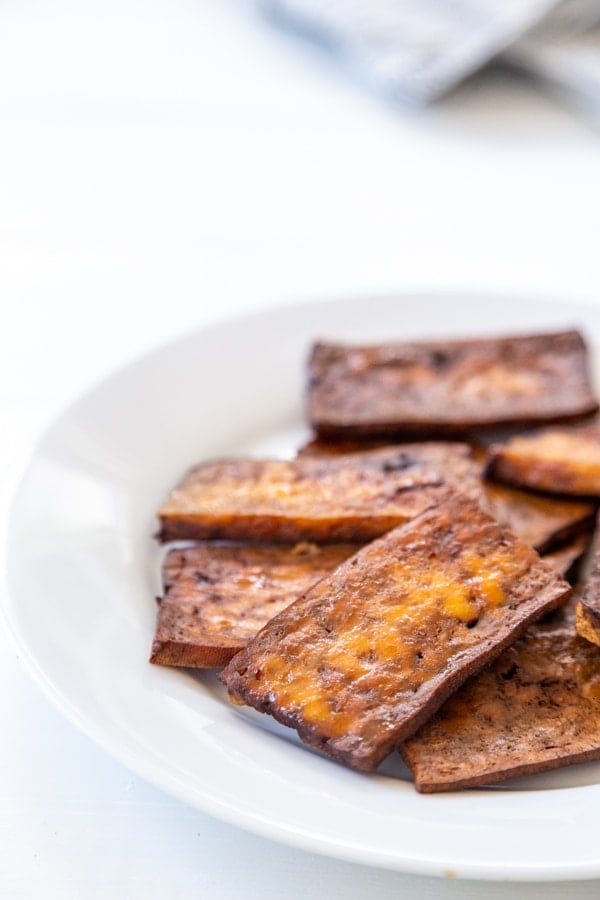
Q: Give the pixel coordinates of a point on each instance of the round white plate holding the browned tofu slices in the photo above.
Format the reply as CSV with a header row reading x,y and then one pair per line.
x,y
83,575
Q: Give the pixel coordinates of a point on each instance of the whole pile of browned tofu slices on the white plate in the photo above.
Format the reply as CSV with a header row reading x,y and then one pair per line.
x,y
405,583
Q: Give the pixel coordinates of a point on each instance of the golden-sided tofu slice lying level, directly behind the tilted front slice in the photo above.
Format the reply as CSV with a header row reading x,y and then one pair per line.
x,y
284,501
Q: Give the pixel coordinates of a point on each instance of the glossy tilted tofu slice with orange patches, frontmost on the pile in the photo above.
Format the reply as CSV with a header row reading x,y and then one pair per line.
x,y
372,650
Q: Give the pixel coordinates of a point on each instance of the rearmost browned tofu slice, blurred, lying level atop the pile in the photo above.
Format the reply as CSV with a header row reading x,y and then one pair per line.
x,y
441,387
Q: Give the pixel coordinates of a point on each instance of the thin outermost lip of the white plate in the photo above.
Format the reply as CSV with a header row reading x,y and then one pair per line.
x,y
148,768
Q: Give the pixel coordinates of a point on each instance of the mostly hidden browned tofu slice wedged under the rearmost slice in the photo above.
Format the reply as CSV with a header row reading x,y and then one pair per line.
x,y
543,522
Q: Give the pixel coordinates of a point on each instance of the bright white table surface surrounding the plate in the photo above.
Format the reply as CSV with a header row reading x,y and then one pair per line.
x,y
163,164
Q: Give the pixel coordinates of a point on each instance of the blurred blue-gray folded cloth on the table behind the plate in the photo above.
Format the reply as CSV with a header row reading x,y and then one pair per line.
x,y
417,50
